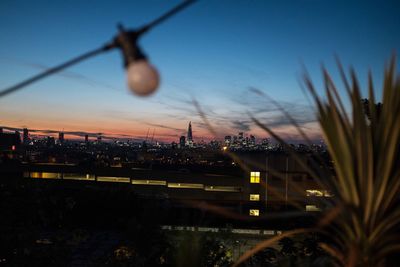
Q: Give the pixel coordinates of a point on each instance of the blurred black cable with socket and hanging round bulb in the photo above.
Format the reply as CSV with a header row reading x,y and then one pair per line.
x,y
142,78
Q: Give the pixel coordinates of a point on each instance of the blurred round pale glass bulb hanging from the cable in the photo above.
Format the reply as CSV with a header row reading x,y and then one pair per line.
x,y
142,77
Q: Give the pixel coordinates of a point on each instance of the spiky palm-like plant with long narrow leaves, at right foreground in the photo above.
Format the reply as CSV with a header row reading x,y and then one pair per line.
x,y
365,152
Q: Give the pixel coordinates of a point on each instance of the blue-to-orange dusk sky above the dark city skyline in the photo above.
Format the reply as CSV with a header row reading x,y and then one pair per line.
x,y
220,62
